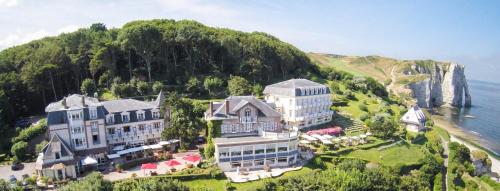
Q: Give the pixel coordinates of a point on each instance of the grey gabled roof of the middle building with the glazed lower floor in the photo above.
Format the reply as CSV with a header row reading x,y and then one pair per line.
x,y
237,102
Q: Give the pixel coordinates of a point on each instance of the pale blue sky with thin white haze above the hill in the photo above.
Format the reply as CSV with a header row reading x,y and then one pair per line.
x,y
464,32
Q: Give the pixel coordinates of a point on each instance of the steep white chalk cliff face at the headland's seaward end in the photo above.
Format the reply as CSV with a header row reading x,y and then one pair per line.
x,y
438,84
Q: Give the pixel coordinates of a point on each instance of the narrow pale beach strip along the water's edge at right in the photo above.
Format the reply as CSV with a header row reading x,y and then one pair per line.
x,y
470,141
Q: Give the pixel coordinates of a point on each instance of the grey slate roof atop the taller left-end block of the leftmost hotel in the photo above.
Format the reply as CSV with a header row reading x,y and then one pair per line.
x,y
72,102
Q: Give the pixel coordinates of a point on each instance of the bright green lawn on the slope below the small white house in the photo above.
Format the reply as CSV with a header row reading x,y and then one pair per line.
x,y
398,154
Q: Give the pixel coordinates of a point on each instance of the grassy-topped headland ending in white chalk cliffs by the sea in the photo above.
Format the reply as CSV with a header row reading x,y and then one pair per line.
x,y
426,83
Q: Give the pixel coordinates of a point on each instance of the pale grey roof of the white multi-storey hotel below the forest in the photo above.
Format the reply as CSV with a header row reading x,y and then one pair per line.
x,y
292,87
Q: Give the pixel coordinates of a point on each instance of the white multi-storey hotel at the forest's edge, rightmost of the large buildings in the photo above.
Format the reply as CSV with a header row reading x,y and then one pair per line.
x,y
302,103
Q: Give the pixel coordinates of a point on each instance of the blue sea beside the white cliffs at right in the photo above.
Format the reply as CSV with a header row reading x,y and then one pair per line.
x,y
482,120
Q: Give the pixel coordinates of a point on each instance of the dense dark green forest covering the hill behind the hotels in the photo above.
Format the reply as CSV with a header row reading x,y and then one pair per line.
x,y
178,55
